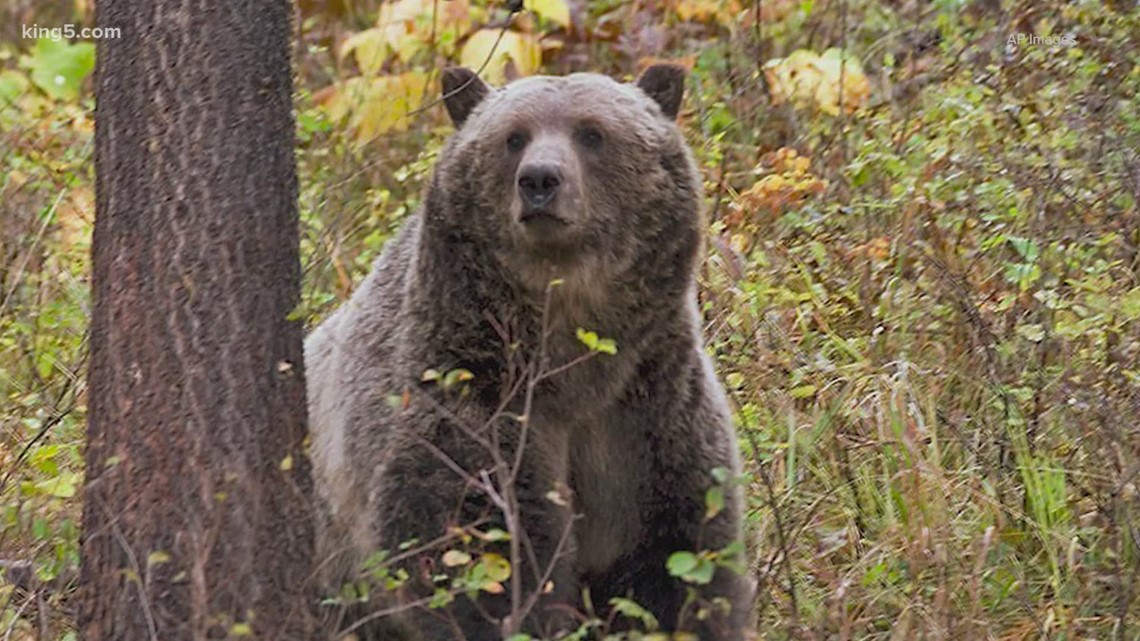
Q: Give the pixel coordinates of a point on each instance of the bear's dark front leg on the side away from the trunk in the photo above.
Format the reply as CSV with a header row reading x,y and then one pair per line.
x,y
674,433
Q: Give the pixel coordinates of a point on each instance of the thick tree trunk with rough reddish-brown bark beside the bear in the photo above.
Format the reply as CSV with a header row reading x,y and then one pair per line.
x,y
197,520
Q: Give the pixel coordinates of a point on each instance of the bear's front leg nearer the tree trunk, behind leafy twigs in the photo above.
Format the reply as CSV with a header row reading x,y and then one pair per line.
x,y
452,486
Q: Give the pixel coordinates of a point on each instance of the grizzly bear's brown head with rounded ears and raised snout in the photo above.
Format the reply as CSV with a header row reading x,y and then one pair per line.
x,y
577,177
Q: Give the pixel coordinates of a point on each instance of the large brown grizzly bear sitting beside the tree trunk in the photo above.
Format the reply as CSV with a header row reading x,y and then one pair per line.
x,y
470,386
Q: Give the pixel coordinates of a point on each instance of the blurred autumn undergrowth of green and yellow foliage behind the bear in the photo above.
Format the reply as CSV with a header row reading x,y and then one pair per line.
x,y
922,289
